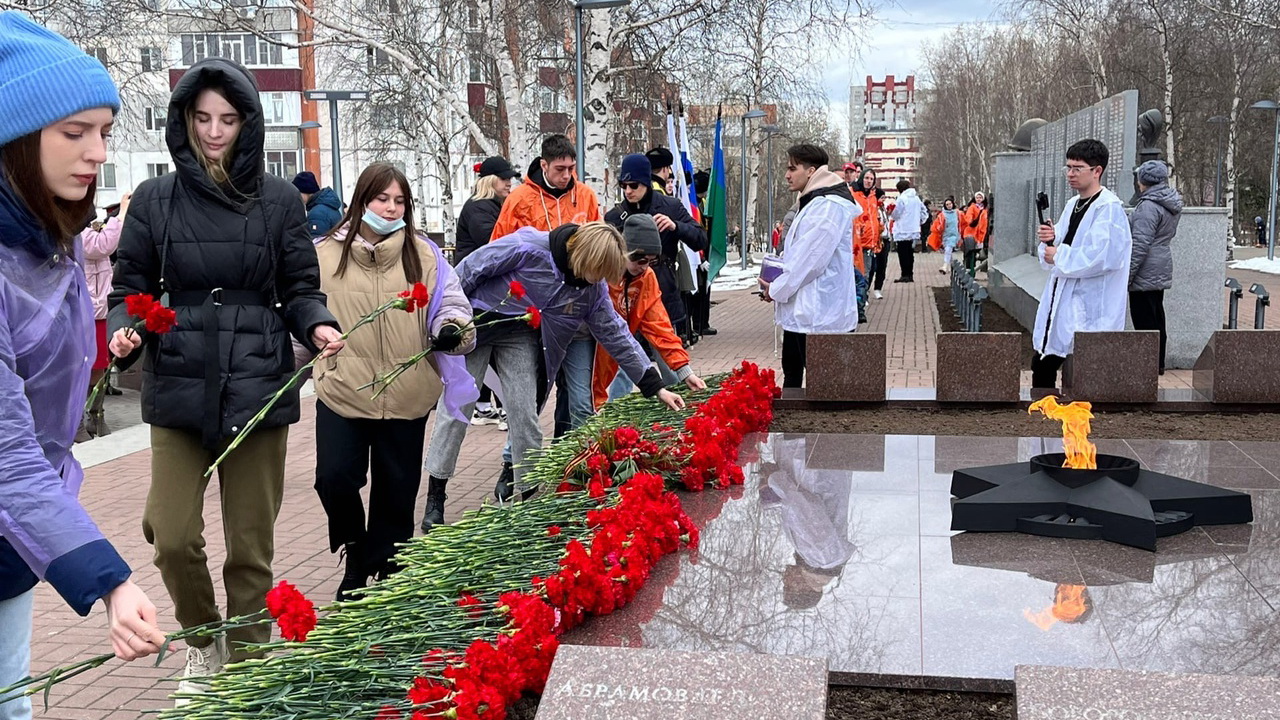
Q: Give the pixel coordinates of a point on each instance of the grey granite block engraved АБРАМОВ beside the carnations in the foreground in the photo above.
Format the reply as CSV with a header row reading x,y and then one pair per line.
x,y
611,683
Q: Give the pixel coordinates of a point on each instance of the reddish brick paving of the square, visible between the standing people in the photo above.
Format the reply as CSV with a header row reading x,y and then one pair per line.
x,y
117,482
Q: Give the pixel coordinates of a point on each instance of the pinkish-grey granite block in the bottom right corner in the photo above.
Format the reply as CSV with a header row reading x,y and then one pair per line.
x,y
1059,694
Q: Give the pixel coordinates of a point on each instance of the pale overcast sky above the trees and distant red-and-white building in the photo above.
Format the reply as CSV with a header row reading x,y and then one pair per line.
x,y
895,43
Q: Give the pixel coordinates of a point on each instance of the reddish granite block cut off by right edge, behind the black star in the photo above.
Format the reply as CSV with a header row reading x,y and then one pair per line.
x,y
1240,367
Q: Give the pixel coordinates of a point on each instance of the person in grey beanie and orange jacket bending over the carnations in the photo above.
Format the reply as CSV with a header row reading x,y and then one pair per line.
x,y
639,300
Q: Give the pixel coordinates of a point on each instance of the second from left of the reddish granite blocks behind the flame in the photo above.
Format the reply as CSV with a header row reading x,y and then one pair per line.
x,y
979,367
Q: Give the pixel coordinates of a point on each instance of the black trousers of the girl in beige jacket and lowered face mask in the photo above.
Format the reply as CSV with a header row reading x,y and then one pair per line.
x,y
350,452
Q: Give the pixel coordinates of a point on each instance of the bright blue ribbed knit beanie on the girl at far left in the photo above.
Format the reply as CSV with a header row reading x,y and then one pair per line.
x,y
45,79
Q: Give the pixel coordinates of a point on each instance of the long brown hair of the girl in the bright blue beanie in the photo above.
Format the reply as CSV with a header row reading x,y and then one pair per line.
x,y
62,220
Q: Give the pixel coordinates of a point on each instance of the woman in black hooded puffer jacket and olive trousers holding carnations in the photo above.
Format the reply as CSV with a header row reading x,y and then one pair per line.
x,y
230,248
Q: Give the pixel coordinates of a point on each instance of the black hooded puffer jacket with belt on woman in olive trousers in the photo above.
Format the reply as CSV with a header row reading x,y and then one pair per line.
x,y
189,238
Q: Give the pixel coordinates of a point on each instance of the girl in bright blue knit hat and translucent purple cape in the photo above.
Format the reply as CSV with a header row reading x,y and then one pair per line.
x,y
60,106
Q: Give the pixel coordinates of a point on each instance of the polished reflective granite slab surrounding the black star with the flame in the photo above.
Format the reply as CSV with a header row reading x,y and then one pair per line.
x,y
839,548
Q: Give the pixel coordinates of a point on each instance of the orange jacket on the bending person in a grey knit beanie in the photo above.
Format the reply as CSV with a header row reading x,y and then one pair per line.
x,y
644,313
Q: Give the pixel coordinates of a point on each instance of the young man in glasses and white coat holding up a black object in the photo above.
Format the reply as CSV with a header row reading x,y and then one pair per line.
x,y
1087,256
